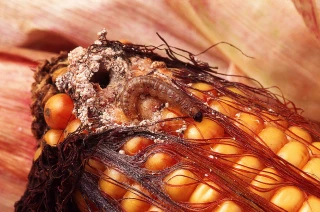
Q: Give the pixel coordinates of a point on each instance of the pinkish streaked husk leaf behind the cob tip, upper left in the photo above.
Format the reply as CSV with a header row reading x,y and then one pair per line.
x,y
27,24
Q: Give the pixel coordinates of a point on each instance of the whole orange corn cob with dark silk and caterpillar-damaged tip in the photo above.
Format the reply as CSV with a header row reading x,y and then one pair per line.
x,y
184,139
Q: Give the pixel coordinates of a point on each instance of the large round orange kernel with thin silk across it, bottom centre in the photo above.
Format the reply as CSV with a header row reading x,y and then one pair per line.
x,y
180,184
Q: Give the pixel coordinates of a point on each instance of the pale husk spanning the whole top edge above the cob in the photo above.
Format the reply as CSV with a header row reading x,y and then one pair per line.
x,y
285,51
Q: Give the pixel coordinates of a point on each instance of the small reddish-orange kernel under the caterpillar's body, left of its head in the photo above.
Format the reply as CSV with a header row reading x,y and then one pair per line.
x,y
172,125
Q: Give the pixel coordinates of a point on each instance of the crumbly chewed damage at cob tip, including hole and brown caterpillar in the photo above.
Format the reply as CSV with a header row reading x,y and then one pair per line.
x,y
105,79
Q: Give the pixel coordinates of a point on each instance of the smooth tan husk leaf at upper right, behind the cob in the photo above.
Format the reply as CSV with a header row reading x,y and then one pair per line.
x,y
286,53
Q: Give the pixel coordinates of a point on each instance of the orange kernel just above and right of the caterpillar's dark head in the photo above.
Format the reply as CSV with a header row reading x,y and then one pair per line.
x,y
224,105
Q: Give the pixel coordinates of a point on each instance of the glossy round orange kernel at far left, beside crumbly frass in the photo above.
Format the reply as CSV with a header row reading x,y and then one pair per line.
x,y
58,111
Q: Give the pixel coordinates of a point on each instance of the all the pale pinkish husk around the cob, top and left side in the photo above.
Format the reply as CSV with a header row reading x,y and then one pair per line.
x,y
296,58
